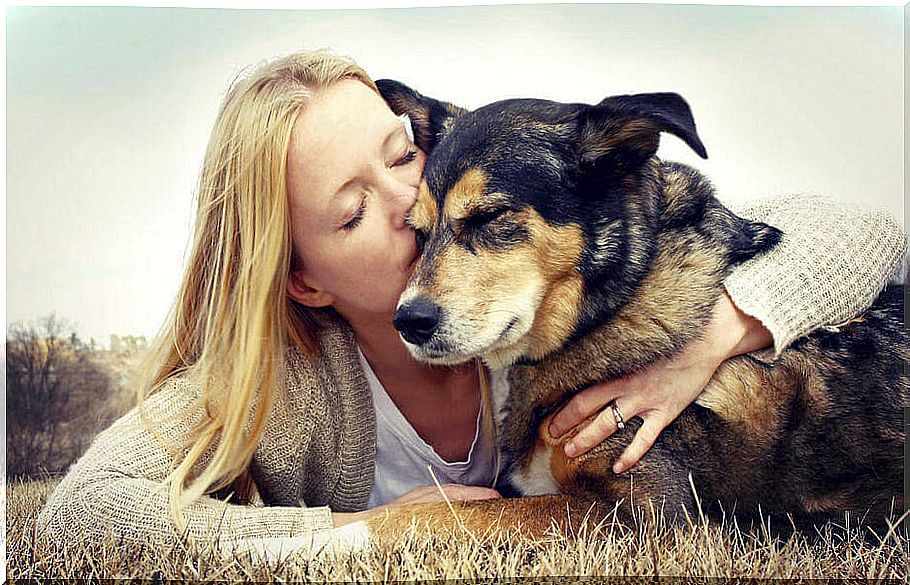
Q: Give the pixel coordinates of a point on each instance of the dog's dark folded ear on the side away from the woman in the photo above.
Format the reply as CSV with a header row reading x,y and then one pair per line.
x,y
620,133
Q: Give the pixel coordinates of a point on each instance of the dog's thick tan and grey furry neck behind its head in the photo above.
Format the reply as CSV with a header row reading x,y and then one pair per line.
x,y
669,307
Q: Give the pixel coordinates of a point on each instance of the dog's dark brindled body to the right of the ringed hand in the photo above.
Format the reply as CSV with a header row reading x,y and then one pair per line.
x,y
815,433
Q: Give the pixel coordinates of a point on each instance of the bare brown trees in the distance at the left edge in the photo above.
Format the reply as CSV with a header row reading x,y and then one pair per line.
x,y
59,395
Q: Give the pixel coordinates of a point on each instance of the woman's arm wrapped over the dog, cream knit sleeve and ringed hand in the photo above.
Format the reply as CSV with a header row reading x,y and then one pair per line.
x,y
831,264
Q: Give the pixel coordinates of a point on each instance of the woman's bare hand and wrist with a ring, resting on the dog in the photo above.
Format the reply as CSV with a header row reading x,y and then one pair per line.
x,y
661,391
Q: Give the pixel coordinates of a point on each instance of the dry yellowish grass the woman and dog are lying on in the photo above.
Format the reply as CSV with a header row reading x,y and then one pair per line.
x,y
649,548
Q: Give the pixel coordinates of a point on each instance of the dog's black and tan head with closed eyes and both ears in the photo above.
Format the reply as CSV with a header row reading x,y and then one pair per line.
x,y
526,208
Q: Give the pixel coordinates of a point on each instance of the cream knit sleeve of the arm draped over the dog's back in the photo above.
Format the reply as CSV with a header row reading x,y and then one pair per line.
x,y
831,264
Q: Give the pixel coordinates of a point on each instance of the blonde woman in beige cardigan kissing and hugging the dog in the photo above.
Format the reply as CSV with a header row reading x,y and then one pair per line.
x,y
279,363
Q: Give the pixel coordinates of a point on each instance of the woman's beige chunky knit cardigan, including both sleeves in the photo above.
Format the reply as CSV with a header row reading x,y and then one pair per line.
x,y
319,443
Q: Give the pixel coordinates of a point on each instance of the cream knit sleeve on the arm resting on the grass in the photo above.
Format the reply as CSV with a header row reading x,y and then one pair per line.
x,y
115,490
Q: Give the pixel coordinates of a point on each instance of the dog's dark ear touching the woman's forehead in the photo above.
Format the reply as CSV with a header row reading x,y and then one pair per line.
x,y
430,118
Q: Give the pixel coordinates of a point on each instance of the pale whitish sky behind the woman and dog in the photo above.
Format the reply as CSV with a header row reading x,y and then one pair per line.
x,y
109,110
